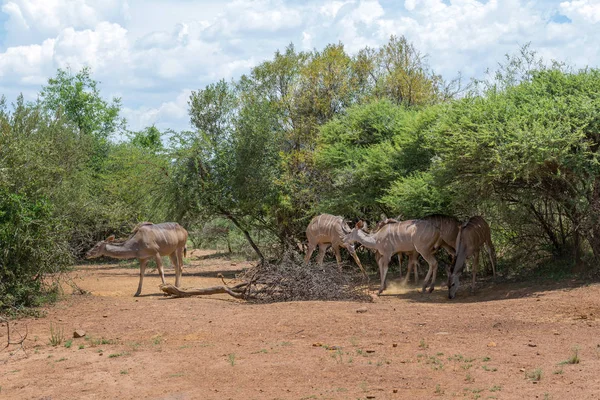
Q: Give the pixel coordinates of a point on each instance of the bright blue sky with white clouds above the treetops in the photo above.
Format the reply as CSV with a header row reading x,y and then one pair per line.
x,y
152,53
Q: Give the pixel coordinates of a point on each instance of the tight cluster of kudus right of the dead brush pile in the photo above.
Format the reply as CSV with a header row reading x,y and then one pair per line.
x,y
412,237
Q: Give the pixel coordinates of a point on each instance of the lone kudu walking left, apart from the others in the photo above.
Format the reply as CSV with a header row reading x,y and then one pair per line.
x,y
148,241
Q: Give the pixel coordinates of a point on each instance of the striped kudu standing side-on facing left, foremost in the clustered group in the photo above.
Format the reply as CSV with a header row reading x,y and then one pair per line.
x,y
412,237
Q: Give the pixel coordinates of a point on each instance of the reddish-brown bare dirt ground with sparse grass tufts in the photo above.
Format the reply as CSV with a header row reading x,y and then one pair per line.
x,y
507,341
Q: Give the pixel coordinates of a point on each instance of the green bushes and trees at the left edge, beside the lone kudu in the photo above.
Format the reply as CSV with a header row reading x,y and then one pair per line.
x,y
64,185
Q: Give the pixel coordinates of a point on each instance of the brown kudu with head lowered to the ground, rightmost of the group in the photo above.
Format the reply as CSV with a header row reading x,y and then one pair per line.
x,y
472,235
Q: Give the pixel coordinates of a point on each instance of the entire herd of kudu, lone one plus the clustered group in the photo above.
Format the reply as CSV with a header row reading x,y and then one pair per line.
x,y
390,237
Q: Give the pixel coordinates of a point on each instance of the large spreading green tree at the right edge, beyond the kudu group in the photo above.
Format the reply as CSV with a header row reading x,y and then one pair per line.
x,y
529,150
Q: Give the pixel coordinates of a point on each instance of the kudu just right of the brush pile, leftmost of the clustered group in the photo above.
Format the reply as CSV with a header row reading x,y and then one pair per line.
x,y
324,230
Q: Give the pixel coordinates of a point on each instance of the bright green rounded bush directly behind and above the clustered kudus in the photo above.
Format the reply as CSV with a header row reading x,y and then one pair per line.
x,y
370,154
